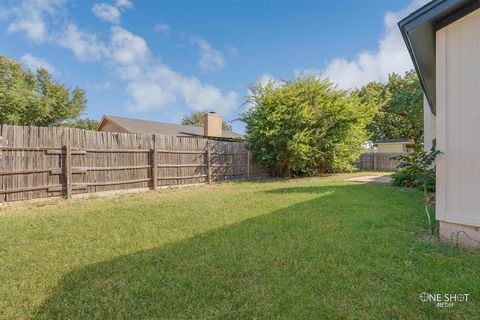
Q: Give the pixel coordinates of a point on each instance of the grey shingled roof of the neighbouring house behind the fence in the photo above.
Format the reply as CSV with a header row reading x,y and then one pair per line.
x,y
161,128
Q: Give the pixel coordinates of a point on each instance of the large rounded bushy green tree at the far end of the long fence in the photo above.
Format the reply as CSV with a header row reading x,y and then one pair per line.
x,y
305,126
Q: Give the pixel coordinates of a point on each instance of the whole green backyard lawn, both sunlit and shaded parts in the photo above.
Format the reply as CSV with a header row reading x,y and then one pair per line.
x,y
315,248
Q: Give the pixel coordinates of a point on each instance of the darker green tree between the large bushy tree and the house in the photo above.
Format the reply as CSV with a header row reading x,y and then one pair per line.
x,y
400,107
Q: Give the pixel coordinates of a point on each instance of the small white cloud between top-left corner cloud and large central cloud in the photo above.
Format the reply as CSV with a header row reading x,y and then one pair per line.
x,y
85,46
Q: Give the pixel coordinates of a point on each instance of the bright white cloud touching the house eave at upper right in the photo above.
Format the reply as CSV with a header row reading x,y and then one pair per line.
x,y
391,56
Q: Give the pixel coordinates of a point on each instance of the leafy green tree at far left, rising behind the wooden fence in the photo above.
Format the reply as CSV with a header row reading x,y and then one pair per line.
x,y
28,98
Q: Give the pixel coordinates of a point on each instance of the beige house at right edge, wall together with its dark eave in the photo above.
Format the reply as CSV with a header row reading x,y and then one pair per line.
x,y
443,38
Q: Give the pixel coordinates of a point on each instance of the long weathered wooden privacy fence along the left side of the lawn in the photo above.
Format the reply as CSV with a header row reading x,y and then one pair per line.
x,y
38,162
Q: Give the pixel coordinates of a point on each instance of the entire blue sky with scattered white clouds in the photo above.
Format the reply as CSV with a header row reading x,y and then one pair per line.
x,y
161,59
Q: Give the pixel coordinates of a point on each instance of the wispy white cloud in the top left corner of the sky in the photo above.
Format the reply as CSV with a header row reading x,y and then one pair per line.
x,y
29,17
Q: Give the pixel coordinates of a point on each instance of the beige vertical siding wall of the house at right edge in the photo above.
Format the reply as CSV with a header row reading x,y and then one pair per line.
x,y
458,124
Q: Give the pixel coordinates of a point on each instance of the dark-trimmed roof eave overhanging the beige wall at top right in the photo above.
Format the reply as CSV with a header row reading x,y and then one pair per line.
x,y
419,32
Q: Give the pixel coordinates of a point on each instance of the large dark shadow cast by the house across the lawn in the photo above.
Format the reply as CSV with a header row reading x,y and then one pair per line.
x,y
334,256
